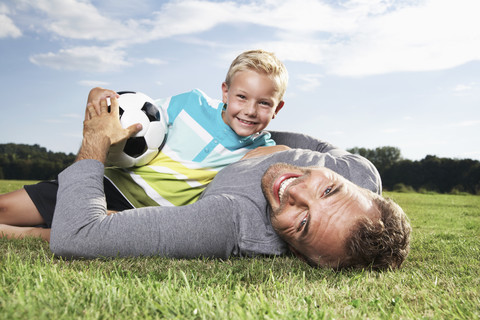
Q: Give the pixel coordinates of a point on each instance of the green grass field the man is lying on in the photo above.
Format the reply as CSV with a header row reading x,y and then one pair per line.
x,y
440,279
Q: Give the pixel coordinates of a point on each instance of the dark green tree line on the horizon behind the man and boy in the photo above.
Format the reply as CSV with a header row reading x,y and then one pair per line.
x,y
443,175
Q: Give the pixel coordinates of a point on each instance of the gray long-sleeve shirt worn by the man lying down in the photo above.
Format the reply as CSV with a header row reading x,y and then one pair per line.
x,y
230,218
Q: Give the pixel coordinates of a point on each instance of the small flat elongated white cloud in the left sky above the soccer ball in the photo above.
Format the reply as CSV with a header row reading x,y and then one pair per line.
x,y
95,59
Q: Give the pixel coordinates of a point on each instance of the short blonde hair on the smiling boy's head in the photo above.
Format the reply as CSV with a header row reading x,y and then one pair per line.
x,y
261,61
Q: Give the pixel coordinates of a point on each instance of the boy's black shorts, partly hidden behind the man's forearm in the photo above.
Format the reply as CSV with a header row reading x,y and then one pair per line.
x,y
44,197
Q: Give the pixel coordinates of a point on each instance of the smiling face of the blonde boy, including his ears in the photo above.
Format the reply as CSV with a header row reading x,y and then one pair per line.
x,y
252,102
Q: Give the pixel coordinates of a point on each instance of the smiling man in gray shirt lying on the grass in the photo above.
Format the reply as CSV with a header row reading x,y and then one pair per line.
x,y
324,218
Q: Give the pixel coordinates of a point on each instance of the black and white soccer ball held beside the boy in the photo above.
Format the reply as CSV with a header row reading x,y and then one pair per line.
x,y
140,149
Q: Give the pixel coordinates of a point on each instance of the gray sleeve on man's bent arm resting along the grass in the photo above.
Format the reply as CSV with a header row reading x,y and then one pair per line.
x,y
81,227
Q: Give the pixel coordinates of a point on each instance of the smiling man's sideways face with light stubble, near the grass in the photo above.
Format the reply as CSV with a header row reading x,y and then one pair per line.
x,y
313,209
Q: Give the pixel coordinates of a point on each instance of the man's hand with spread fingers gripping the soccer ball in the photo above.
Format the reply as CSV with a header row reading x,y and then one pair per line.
x,y
102,129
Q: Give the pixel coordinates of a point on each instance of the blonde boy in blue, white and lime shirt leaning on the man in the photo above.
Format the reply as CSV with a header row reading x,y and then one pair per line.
x,y
204,137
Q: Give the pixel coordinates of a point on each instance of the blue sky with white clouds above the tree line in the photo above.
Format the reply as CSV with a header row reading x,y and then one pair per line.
x,y
362,73
